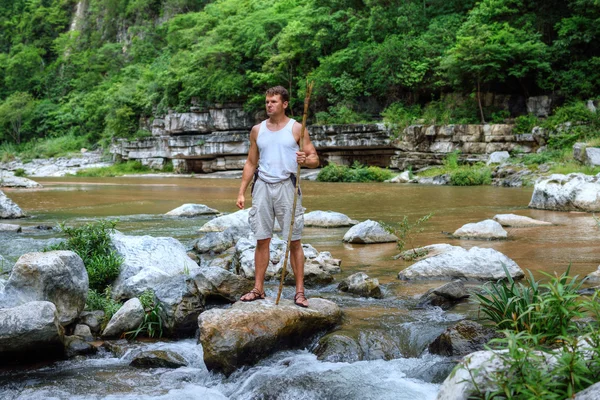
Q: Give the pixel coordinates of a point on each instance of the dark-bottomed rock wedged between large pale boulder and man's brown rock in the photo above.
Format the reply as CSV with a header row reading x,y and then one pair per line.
x,y
181,302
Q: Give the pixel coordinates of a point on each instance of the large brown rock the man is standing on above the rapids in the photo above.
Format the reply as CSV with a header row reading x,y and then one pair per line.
x,y
247,332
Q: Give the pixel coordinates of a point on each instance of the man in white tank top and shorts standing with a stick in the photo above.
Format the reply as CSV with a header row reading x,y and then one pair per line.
x,y
274,156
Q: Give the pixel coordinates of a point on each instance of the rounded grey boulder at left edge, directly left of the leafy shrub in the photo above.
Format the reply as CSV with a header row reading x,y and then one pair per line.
x,y
55,276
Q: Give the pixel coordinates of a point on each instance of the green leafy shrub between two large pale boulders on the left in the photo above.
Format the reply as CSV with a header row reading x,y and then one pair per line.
x,y
92,243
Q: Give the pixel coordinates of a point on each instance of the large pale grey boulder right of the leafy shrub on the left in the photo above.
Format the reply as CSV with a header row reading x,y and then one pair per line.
x,y
148,261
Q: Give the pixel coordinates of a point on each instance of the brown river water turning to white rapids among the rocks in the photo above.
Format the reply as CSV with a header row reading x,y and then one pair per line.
x,y
139,204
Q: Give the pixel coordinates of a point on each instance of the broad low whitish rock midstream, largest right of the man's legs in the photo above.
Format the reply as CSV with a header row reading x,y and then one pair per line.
x,y
458,263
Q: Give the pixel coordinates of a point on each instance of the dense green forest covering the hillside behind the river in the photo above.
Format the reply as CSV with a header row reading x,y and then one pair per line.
x,y
83,72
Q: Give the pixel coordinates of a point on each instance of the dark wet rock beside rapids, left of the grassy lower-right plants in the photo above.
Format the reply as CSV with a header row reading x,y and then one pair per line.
x,y
461,339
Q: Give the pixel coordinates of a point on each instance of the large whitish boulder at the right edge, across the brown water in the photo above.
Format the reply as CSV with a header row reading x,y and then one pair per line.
x,y
573,192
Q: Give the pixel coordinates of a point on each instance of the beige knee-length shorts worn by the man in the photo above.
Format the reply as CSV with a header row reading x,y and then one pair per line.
x,y
275,200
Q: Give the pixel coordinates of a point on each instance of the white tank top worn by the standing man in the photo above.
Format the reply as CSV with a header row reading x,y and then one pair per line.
x,y
277,153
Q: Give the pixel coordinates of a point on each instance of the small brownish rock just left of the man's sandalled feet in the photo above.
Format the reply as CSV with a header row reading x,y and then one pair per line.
x,y
217,282
